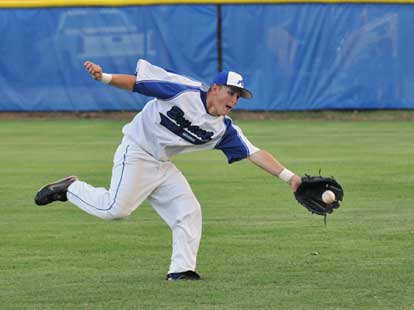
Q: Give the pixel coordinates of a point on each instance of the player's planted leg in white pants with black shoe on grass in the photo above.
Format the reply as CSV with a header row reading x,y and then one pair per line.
x,y
177,205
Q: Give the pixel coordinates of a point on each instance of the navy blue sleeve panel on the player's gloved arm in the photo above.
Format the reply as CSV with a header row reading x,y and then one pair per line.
x,y
232,144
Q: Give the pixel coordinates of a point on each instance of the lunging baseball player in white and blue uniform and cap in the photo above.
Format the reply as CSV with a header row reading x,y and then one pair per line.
x,y
184,116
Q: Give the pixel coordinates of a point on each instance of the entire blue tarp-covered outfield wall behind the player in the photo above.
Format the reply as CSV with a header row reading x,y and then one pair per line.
x,y
294,56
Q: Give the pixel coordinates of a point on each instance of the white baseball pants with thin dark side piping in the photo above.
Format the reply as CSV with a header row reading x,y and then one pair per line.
x,y
137,176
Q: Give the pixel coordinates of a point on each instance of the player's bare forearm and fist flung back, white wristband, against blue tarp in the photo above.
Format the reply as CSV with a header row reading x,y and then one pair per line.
x,y
123,81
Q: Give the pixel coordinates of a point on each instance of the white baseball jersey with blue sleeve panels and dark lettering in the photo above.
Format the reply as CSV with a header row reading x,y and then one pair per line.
x,y
176,120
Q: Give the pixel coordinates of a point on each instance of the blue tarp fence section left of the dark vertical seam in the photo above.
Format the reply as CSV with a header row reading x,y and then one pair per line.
x,y
43,50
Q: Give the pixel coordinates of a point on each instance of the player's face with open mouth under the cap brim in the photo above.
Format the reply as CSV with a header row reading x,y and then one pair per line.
x,y
224,99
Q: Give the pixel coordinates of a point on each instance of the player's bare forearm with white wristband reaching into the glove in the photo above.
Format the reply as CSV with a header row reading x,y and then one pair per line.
x,y
267,162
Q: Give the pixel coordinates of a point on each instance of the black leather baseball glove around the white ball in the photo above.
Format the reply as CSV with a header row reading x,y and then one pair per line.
x,y
309,194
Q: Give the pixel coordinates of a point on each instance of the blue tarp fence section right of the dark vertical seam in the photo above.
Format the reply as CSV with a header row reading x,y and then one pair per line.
x,y
300,57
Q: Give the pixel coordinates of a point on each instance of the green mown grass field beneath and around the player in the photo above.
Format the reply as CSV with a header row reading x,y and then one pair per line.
x,y
258,247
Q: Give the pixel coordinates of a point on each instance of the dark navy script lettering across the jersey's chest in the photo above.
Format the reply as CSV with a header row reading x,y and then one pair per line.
x,y
179,125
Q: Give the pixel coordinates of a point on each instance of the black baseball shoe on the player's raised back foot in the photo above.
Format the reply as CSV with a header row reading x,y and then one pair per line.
x,y
55,191
